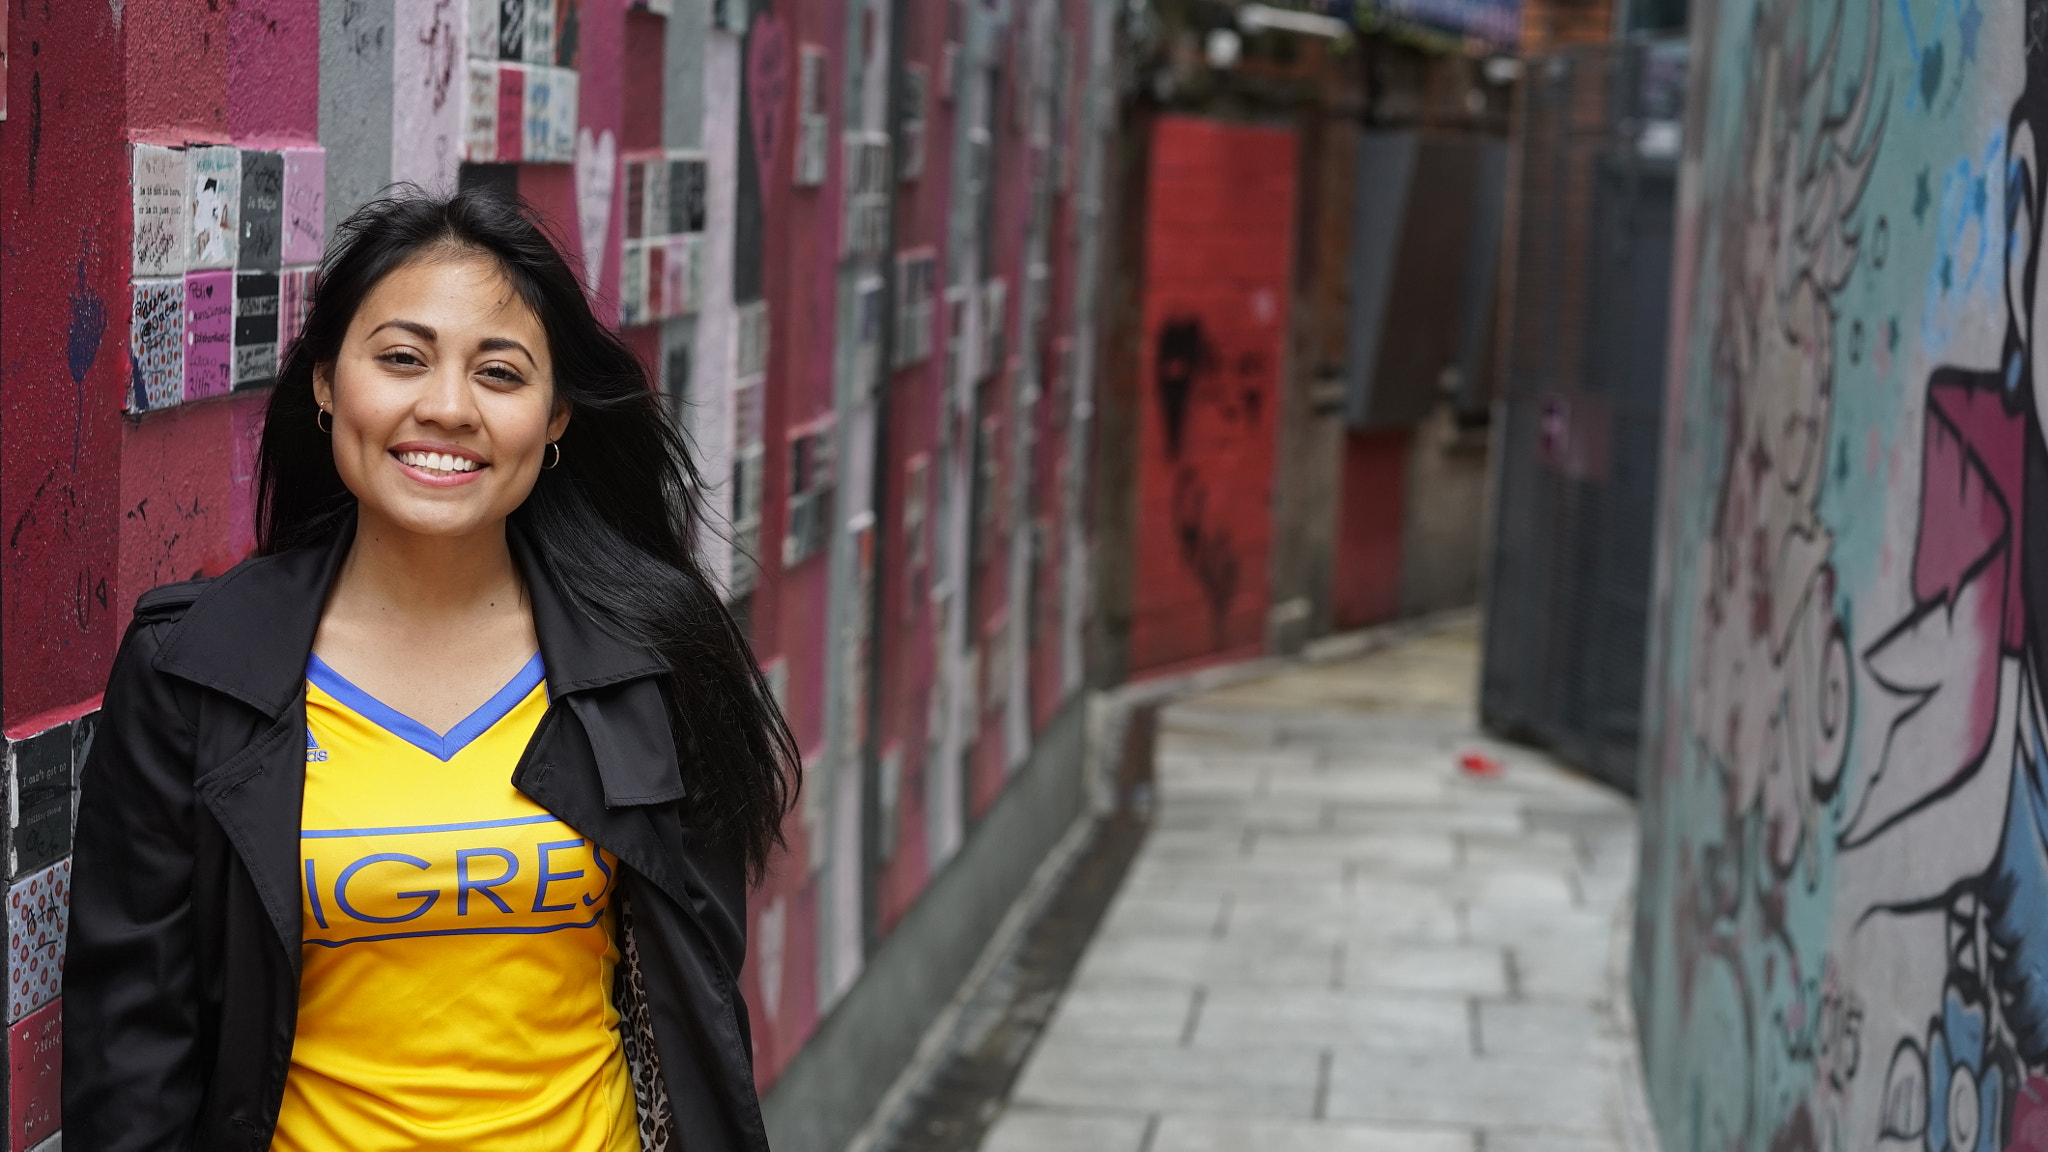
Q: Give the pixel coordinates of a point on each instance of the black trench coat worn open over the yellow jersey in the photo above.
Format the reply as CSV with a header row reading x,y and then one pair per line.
x,y
181,985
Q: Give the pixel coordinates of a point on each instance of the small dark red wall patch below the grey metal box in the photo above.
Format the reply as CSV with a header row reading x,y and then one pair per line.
x,y
1369,528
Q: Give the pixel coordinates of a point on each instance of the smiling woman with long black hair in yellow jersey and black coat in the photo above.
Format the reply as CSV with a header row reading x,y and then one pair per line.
x,y
503,897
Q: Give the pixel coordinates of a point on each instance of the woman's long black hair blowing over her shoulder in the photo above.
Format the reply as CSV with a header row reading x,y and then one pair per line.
x,y
613,524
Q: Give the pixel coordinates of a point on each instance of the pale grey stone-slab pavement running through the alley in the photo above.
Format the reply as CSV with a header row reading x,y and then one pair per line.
x,y
1338,940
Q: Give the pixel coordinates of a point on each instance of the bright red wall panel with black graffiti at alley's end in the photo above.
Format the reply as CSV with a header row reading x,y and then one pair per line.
x,y
1220,233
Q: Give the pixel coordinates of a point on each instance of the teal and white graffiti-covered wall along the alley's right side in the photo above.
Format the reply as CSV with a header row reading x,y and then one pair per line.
x,y
1844,915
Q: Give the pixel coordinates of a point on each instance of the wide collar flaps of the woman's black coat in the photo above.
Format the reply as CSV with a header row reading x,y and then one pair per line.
x,y
253,630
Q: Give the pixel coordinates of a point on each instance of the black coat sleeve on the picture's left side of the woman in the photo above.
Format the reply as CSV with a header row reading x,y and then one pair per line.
x,y
132,1073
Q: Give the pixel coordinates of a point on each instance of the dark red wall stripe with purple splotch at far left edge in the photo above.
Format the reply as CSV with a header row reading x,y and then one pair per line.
x,y
65,308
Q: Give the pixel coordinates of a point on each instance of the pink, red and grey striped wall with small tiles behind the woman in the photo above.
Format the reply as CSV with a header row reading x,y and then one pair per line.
x,y
851,241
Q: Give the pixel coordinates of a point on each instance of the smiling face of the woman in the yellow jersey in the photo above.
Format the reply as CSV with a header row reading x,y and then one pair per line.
x,y
443,399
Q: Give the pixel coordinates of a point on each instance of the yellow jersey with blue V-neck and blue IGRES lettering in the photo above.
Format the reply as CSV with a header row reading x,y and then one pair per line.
x,y
458,960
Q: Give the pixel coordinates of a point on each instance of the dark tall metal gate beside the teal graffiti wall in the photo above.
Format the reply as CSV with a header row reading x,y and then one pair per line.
x,y
1582,397
